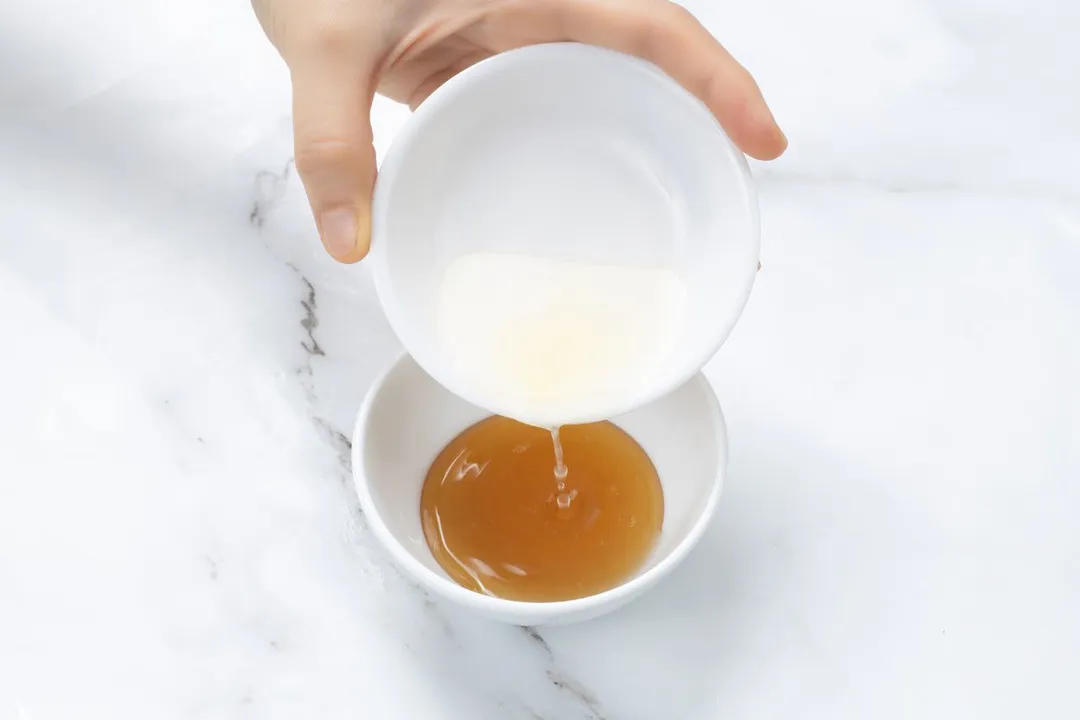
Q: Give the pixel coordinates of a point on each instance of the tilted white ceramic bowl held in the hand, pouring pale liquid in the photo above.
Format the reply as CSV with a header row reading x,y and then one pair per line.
x,y
574,154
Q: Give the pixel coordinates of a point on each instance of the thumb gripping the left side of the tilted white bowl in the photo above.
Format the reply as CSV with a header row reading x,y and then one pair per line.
x,y
332,127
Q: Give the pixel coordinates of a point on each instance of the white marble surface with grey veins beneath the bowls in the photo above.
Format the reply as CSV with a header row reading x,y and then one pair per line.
x,y
179,362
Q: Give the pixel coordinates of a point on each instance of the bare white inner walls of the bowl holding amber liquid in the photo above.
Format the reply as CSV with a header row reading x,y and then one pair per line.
x,y
410,418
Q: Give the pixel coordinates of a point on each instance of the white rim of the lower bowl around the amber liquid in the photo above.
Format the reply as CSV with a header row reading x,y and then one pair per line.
x,y
494,606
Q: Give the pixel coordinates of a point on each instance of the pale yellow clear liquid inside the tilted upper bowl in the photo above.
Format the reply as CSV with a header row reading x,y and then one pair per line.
x,y
550,343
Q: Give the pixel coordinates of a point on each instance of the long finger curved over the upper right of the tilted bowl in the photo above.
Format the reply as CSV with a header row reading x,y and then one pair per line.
x,y
670,37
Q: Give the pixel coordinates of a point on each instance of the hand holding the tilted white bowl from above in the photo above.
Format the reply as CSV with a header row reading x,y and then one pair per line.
x,y
342,52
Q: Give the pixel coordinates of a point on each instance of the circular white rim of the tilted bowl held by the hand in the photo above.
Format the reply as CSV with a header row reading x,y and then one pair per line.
x,y
390,170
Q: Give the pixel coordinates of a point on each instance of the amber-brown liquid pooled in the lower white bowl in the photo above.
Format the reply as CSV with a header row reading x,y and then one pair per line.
x,y
501,521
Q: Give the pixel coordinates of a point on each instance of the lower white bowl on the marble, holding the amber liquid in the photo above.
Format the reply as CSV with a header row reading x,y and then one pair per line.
x,y
408,418
